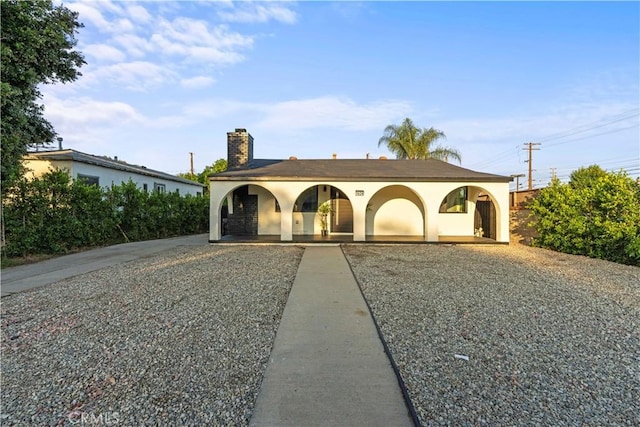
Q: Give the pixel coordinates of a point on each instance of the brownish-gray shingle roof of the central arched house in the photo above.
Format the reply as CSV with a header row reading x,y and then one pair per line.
x,y
356,170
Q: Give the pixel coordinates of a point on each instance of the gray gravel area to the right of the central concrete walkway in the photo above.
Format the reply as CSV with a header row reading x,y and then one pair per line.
x,y
551,339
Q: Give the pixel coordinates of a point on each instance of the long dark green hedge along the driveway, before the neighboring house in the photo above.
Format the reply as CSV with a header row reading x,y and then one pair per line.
x,y
53,214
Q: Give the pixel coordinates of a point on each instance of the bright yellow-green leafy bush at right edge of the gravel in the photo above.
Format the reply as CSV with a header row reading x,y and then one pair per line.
x,y
596,214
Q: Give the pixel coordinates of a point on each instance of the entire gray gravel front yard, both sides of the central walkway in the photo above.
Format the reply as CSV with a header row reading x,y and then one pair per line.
x,y
183,338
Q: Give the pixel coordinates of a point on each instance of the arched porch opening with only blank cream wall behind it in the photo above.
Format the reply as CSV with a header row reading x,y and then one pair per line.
x,y
395,210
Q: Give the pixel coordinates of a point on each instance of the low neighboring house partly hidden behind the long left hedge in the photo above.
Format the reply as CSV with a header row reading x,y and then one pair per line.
x,y
105,171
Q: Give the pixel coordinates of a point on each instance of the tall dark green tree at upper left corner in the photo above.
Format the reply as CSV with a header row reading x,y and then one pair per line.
x,y
37,48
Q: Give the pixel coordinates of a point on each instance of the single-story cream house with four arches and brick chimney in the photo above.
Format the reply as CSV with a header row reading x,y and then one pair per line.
x,y
371,199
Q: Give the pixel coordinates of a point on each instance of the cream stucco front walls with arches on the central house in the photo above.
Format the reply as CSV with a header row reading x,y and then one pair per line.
x,y
425,196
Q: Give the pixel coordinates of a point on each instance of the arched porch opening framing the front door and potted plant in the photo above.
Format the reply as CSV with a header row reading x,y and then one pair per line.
x,y
308,221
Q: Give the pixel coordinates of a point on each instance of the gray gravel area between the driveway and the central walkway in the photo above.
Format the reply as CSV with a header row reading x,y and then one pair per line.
x,y
182,338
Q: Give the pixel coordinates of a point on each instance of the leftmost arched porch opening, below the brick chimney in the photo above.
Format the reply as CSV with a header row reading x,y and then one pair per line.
x,y
249,210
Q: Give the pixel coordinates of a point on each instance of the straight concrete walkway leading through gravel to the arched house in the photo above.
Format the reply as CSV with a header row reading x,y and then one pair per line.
x,y
328,366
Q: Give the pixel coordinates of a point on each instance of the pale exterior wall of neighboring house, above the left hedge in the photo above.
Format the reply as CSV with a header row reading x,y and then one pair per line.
x,y
108,176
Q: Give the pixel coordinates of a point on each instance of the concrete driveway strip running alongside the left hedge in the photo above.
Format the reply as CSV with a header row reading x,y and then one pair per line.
x,y
24,277
